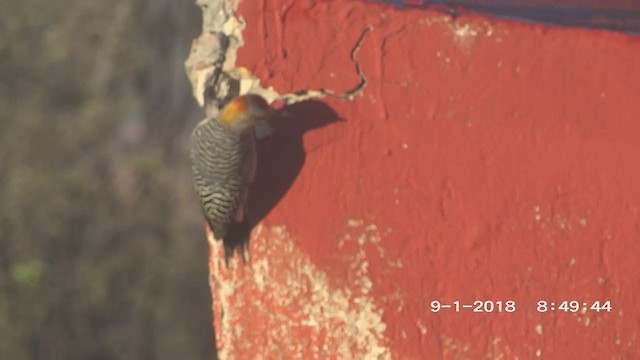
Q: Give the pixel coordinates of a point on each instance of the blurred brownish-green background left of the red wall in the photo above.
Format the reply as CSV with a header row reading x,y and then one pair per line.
x,y
102,248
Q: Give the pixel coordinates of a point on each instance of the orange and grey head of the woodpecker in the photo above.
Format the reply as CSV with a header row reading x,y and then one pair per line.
x,y
245,111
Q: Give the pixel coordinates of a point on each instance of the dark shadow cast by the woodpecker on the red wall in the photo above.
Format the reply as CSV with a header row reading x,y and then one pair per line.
x,y
281,158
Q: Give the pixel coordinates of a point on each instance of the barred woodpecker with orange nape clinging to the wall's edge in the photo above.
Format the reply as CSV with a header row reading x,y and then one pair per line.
x,y
223,164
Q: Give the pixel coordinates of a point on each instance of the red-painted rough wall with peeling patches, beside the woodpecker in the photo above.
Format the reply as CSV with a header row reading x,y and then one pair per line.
x,y
482,160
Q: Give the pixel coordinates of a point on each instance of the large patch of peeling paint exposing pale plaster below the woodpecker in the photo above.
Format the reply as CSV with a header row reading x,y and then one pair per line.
x,y
282,287
